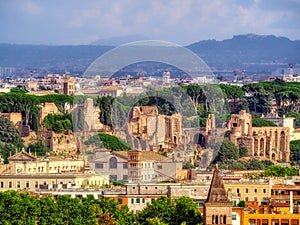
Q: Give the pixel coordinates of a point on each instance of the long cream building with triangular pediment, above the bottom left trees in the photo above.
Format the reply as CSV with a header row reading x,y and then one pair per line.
x,y
26,171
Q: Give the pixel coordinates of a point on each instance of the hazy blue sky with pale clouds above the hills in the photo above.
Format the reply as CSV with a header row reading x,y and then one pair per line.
x,y
73,22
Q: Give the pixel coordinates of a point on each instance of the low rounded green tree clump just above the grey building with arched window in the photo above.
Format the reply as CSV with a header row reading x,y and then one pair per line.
x,y
108,141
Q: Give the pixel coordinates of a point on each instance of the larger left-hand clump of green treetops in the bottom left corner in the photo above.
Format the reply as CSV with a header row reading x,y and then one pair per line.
x,y
21,208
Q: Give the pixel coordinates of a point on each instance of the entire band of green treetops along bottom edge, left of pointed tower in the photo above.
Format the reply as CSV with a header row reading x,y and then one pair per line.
x,y
22,208
